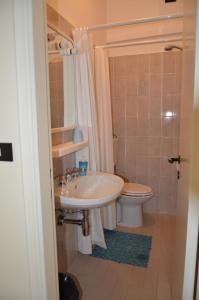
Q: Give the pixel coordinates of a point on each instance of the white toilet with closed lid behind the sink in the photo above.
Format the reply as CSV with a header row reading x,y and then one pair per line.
x,y
129,204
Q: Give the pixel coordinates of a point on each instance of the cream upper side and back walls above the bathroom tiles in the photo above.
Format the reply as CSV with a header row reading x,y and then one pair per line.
x,y
82,13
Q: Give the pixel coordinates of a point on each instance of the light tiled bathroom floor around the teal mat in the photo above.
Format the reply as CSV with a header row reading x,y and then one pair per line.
x,y
106,280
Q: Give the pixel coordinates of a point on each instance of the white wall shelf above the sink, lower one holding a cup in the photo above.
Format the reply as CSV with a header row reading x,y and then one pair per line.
x,y
67,148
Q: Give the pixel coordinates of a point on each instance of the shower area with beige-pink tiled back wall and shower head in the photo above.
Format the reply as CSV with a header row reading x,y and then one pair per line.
x,y
145,74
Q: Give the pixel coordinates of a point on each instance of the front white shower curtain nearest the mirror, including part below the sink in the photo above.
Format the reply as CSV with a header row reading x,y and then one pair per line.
x,y
87,121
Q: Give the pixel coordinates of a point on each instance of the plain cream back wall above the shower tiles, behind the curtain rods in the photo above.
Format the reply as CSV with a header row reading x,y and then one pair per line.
x,y
119,10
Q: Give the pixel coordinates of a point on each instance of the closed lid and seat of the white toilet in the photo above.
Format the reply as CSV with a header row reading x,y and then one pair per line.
x,y
136,189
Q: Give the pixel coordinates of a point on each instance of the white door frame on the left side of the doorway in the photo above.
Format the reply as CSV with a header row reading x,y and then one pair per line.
x,y
33,105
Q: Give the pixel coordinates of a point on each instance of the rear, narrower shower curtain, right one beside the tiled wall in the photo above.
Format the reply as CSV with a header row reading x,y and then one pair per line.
x,y
103,97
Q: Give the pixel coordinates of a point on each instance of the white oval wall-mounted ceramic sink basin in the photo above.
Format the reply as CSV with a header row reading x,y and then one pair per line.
x,y
93,190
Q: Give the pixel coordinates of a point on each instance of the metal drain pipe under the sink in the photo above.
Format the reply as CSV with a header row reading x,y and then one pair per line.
x,y
84,222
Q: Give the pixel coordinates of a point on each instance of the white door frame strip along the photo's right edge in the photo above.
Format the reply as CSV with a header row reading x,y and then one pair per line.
x,y
193,205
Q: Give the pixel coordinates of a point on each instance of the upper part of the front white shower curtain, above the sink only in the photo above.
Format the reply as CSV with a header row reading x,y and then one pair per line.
x,y
86,104
